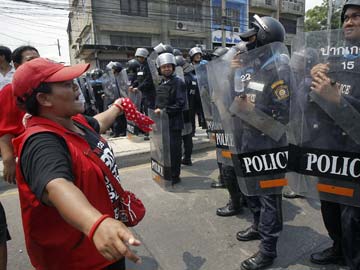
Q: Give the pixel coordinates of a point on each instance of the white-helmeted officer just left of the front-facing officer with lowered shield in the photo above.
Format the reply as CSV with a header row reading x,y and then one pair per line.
x,y
144,83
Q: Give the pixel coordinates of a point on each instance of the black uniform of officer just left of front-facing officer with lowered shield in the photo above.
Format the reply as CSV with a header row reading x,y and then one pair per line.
x,y
145,84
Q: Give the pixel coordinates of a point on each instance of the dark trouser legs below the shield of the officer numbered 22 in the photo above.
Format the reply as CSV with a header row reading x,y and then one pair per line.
x,y
268,220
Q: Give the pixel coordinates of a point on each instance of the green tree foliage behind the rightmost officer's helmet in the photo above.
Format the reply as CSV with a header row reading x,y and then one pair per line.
x,y
316,18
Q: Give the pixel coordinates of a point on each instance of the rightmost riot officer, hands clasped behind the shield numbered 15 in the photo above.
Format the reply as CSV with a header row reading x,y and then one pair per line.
x,y
338,87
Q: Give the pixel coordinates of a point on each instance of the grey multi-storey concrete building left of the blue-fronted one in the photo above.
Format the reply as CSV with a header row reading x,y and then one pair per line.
x,y
100,31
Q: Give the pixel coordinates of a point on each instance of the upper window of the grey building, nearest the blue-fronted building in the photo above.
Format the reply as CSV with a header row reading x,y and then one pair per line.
x,y
186,10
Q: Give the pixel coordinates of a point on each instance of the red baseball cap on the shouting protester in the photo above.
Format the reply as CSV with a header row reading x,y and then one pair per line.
x,y
30,74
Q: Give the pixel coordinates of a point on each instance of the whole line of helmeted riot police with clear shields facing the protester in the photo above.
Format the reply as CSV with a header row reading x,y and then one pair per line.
x,y
278,120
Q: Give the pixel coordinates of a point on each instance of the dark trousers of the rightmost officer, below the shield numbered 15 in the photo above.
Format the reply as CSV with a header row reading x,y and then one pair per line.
x,y
343,225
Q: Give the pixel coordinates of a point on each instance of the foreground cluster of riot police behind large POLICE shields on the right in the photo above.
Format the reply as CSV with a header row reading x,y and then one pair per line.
x,y
282,129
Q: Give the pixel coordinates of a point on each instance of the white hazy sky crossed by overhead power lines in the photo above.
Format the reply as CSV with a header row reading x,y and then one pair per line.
x,y
41,26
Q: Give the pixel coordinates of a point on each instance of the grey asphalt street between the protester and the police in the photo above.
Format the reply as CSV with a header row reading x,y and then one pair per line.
x,y
181,231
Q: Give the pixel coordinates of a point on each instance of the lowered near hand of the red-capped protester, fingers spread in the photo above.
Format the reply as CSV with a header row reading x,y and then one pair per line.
x,y
112,238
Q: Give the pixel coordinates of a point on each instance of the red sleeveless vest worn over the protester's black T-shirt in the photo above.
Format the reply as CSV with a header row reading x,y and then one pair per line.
x,y
50,241
